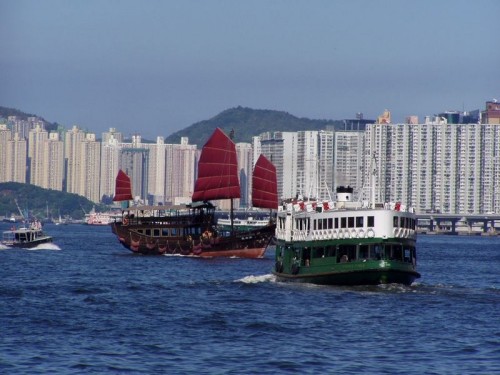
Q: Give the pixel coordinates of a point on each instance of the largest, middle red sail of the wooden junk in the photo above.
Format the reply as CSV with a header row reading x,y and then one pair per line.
x,y
217,170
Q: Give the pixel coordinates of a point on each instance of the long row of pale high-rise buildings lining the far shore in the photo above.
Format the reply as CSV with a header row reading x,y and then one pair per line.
x,y
449,163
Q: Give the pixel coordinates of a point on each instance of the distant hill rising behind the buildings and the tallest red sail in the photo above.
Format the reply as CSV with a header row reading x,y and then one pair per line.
x,y
247,123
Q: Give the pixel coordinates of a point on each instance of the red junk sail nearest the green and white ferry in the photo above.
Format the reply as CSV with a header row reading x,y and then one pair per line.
x,y
264,184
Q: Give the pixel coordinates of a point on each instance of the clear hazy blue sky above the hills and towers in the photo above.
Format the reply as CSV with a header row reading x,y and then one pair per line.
x,y
155,67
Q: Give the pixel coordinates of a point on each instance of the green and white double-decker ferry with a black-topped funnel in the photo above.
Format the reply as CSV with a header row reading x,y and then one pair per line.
x,y
349,243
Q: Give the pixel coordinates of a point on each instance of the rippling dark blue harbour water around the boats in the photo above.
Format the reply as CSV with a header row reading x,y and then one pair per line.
x,y
86,305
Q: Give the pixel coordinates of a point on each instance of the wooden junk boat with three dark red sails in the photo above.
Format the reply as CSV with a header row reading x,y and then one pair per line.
x,y
191,229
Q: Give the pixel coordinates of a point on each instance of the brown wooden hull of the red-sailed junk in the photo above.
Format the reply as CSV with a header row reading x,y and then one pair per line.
x,y
250,244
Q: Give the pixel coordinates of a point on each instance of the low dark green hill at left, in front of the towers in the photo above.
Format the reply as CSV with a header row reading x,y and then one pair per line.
x,y
38,201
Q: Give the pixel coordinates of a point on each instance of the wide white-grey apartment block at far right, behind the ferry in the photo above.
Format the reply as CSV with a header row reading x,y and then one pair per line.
x,y
436,166
